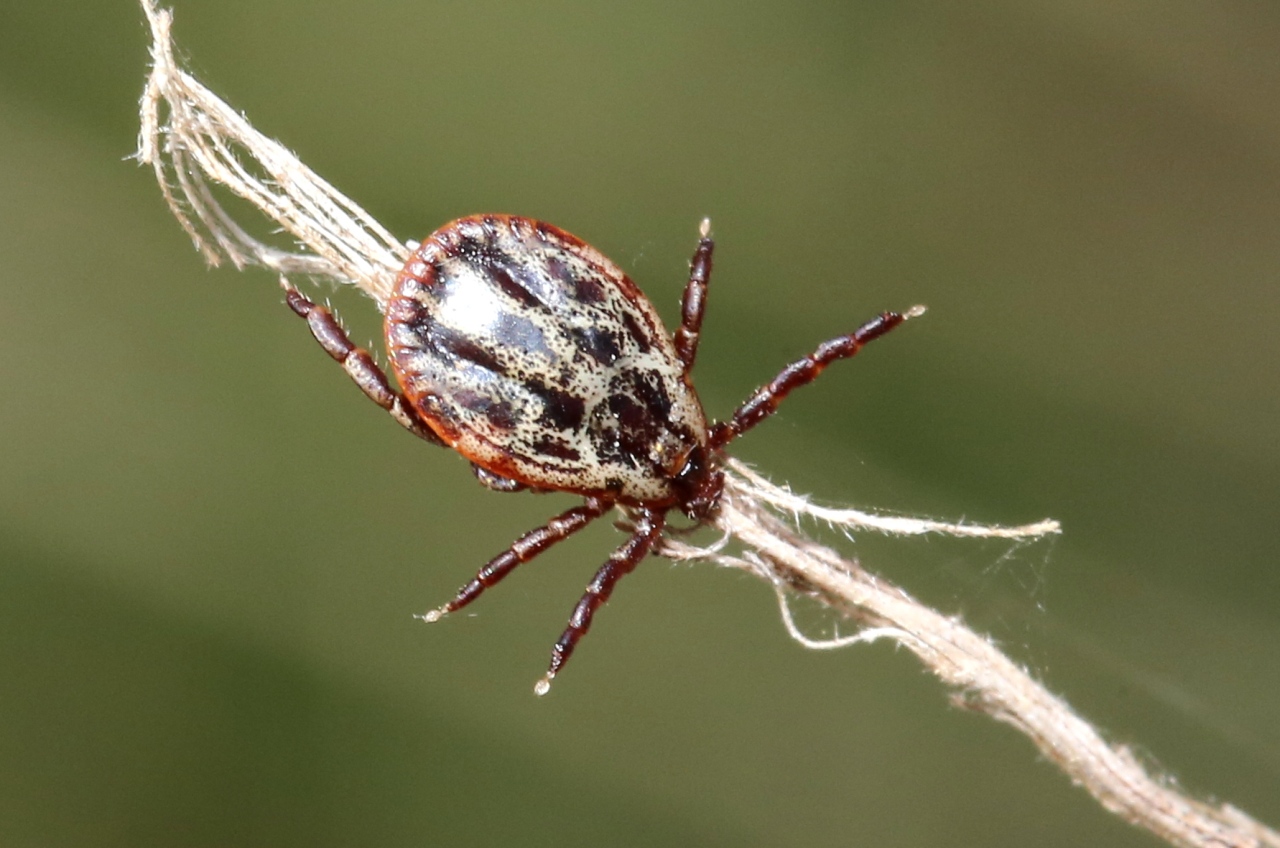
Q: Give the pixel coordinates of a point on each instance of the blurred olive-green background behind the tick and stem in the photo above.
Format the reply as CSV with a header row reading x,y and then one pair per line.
x,y
212,546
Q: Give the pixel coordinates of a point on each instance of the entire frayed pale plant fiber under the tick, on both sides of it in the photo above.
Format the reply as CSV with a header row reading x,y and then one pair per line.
x,y
194,140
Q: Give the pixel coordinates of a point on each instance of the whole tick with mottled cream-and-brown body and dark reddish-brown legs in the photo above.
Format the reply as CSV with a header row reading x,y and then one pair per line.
x,y
536,358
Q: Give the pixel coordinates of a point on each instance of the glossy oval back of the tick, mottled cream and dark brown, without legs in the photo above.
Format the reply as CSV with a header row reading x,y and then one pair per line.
x,y
538,359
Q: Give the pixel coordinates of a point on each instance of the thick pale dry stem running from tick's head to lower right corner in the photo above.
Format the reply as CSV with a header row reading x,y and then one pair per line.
x,y
985,680
